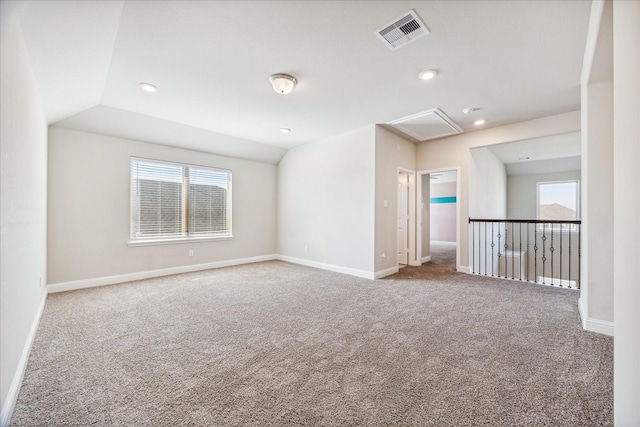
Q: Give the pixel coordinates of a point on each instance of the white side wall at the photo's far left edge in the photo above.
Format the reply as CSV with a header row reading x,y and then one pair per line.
x,y
23,208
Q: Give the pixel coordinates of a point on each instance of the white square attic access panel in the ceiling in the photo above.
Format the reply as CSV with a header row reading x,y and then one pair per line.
x,y
426,125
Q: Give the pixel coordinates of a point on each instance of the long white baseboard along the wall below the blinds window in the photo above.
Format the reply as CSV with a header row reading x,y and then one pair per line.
x,y
141,275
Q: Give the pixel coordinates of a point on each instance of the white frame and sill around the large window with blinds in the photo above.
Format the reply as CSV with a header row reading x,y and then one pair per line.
x,y
184,204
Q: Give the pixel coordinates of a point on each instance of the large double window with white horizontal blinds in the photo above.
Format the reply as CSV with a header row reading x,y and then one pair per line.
x,y
171,201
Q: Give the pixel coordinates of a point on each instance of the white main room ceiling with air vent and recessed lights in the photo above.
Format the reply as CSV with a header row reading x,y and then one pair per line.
x,y
514,60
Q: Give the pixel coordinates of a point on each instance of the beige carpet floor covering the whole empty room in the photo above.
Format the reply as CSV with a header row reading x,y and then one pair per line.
x,y
275,344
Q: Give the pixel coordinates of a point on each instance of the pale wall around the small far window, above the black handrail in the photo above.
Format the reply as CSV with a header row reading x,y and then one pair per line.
x,y
522,192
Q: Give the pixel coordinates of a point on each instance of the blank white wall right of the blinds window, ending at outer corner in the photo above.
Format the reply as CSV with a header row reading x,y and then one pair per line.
x,y
326,200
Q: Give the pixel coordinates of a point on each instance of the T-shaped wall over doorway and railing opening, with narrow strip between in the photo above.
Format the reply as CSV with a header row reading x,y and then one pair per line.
x,y
453,151
